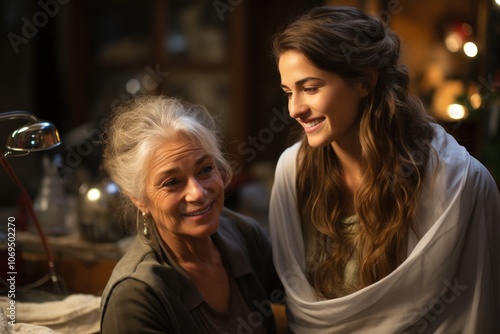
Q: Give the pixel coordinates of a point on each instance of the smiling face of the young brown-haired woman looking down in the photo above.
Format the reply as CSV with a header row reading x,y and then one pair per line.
x,y
322,102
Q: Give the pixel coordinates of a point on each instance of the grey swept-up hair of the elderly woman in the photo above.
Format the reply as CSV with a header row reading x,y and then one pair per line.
x,y
136,128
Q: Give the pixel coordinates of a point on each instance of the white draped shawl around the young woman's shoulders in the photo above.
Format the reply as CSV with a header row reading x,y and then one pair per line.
x,y
450,281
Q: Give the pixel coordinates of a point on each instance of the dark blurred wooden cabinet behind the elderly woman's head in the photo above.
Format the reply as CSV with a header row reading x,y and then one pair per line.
x,y
189,49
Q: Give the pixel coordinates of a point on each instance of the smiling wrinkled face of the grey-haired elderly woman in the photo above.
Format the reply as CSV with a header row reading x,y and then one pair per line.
x,y
184,191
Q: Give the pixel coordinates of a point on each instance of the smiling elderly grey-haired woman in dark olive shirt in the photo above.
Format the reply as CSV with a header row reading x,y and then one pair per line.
x,y
195,266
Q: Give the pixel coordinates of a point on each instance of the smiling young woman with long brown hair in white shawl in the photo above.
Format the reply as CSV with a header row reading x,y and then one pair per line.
x,y
379,220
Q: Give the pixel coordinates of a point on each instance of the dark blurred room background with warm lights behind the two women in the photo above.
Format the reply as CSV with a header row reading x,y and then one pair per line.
x,y
71,62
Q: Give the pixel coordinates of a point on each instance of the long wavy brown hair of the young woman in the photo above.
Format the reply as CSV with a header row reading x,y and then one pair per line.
x,y
395,135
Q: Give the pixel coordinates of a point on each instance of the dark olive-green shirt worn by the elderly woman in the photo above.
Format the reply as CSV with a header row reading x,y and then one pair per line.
x,y
149,293
